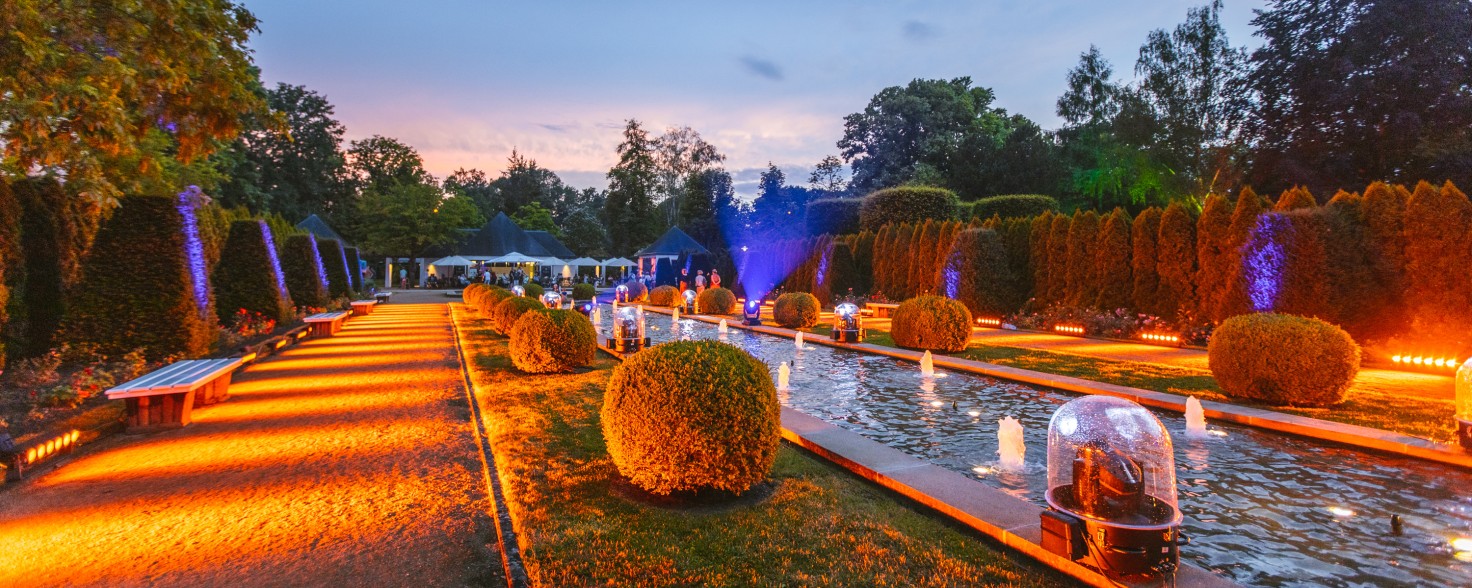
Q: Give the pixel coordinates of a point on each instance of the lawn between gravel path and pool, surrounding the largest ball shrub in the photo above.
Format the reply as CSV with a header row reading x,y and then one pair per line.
x,y
819,527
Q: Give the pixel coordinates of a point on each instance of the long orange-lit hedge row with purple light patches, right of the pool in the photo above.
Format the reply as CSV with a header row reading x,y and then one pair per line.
x,y
1386,263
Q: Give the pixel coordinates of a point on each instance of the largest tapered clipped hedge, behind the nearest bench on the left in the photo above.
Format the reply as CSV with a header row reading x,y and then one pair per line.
x,y
138,290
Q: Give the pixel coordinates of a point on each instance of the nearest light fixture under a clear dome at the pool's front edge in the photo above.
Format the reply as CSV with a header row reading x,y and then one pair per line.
x,y
1112,491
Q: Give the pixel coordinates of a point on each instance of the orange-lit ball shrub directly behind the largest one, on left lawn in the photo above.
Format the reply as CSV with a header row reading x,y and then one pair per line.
x,y
551,341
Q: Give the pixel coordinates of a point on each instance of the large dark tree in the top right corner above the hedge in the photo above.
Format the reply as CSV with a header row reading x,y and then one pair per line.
x,y
1349,92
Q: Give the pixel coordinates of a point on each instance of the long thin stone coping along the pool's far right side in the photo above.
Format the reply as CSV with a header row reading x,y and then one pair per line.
x,y
1352,435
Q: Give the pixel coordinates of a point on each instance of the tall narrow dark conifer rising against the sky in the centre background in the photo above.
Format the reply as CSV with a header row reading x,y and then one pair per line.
x,y
629,210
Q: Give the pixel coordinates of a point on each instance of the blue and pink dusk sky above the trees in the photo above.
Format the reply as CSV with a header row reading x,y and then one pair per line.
x,y
467,82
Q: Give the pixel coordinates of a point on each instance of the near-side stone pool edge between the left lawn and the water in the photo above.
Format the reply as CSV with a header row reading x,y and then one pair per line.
x,y
1003,518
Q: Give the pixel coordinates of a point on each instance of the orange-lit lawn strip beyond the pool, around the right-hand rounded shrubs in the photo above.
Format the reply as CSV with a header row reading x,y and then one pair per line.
x,y
1368,406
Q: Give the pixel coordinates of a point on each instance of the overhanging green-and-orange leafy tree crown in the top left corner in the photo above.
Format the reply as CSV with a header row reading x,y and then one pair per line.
x,y
86,83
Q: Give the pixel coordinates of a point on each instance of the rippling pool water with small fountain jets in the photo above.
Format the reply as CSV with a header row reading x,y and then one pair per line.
x,y
1258,505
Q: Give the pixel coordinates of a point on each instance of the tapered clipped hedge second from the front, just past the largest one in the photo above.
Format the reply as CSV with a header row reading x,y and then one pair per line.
x,y
248,276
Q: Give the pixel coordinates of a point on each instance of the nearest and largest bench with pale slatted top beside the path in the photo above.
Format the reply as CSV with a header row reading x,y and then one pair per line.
x,y
166,397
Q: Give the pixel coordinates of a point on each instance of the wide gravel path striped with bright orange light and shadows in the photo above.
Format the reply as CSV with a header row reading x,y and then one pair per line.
x,y
344,462
